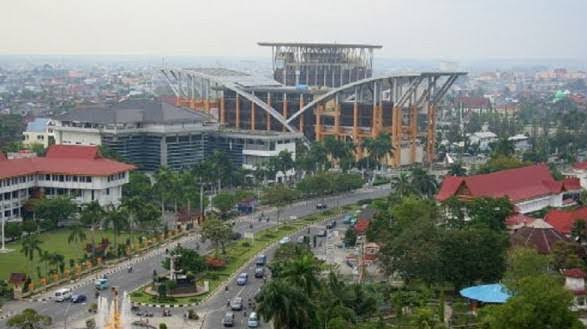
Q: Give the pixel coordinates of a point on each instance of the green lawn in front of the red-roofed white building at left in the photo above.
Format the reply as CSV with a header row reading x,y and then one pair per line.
x,y
53,241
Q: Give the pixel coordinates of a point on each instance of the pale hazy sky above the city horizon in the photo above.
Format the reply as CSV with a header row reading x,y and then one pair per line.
x,y
445,29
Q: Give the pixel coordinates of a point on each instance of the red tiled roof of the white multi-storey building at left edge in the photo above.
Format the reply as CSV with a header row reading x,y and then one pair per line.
x,y
71,166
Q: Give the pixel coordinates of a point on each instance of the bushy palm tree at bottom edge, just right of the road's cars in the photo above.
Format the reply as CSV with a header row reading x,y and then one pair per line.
x,y
286,305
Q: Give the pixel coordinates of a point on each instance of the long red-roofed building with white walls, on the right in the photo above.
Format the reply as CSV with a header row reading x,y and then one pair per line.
x,y
530,188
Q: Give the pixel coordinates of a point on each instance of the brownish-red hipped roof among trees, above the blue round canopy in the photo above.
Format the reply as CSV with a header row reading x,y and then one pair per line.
x,y
541,239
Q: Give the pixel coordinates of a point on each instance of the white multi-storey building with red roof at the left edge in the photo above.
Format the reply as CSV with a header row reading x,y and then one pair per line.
x,y
79,172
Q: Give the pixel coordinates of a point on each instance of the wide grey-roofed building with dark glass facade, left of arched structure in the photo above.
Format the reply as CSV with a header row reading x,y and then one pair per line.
x,y
152,134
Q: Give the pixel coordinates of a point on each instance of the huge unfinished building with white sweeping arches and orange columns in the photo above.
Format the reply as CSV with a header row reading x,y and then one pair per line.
x,y
319,90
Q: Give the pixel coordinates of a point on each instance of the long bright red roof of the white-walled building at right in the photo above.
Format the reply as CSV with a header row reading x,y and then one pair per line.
x,y
517,184
